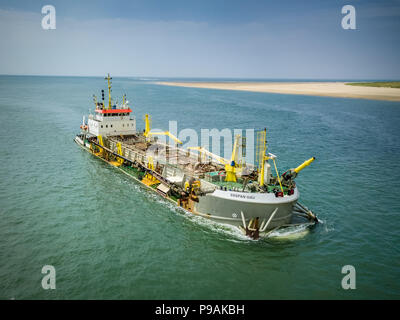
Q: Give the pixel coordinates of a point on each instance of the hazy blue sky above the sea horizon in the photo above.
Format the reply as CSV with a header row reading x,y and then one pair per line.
x,y
250,39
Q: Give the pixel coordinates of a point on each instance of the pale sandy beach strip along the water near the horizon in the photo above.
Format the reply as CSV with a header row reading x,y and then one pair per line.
x,y
328,89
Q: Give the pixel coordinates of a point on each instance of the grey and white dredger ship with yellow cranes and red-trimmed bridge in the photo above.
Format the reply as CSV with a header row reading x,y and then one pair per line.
x,y
253,197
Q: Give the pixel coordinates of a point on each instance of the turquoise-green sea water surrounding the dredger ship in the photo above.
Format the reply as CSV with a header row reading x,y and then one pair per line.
x,y
109,238
